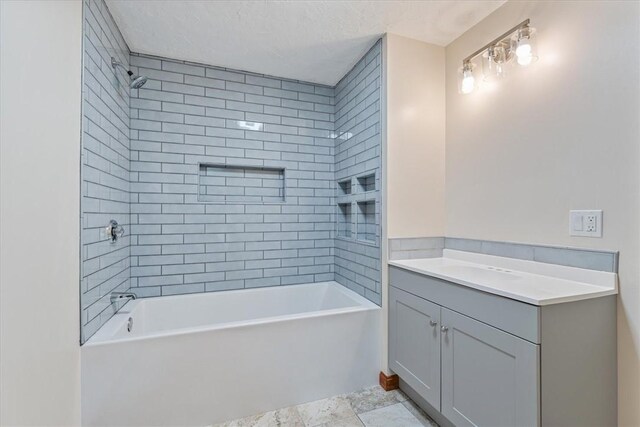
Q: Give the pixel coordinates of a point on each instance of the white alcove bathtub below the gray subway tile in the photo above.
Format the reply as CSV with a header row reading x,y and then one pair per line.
x,y
205,358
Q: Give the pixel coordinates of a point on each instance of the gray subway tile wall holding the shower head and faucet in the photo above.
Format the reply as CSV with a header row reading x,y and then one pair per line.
x,y
105,166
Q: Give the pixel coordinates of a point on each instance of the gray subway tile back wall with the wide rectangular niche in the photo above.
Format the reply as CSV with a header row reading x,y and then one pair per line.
x,y
232,180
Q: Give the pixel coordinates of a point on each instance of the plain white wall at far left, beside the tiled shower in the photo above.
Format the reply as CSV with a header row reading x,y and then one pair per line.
x,y
39,242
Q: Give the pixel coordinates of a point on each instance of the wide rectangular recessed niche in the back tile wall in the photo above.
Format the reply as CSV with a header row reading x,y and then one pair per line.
x,y
240,184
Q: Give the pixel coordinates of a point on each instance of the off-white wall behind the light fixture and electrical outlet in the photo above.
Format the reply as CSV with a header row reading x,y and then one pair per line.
x,y
561,135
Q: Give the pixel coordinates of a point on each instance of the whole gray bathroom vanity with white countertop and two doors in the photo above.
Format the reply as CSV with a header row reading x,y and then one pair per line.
x,y
480,340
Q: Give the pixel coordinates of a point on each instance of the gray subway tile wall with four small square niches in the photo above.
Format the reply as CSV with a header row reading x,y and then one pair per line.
x,y
358,155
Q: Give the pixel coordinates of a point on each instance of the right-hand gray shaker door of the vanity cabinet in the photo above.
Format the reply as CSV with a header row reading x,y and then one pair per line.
x,y
489,377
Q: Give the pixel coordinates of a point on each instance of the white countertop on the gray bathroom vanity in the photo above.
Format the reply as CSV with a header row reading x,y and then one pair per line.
x,y
527,281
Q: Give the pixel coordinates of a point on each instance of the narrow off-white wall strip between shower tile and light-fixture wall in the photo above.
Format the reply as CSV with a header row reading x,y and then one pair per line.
x,y
415,138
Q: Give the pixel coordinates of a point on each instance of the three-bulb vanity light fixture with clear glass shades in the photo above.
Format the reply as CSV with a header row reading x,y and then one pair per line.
x,y
498,55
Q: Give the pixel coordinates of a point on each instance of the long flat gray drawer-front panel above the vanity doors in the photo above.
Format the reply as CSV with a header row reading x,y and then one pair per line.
x,y
515,317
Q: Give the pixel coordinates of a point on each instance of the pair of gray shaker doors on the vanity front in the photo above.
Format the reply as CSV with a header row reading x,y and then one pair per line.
x,y
473,373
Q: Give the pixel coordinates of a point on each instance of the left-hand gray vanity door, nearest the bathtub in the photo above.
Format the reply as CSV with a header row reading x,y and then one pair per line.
x,y
414,343
